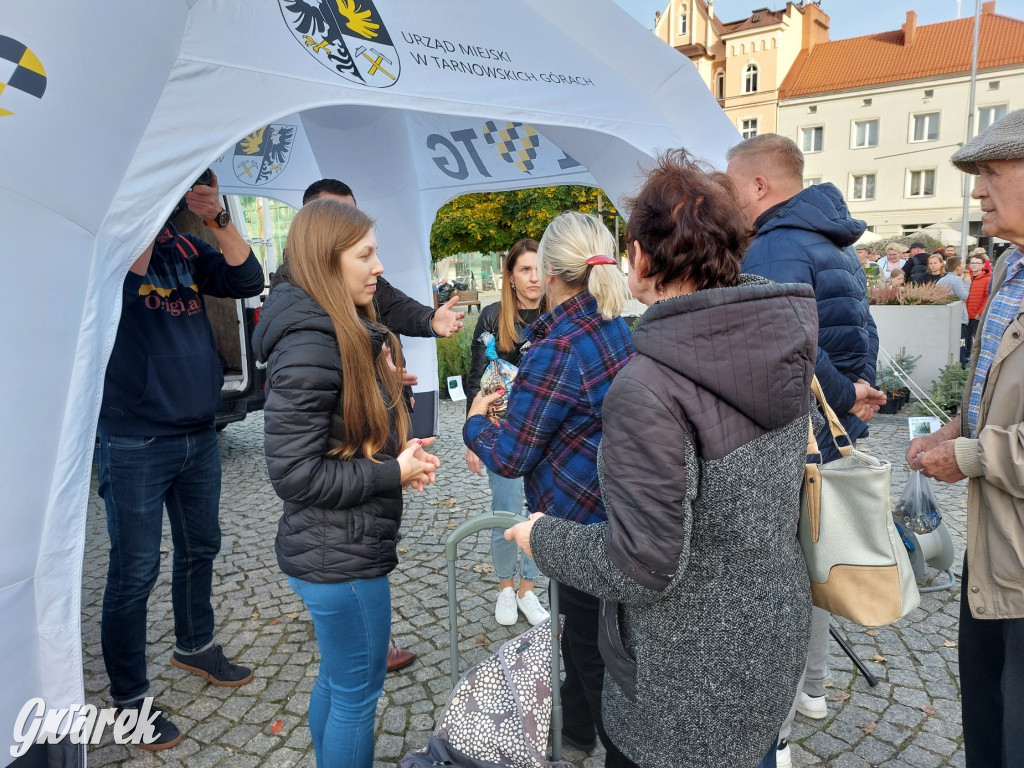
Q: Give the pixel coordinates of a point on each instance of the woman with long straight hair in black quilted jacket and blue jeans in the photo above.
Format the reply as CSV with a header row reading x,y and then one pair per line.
x,y
336,430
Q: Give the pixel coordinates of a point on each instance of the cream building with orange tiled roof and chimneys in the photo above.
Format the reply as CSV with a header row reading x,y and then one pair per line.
x,y
880,115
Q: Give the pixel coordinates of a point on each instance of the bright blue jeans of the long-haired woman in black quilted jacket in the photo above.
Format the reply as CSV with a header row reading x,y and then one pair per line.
x,y
353,621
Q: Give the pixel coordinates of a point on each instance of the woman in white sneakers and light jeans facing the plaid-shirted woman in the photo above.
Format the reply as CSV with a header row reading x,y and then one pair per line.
x,y
504,323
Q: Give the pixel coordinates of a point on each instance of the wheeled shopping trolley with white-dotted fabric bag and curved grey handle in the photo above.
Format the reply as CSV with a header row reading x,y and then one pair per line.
x,y
499,713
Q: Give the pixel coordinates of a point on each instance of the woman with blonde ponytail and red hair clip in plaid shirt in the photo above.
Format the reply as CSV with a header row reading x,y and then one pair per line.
x,y
553,429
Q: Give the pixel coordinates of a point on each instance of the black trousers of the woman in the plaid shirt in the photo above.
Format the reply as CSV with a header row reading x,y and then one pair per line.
x,y
584,674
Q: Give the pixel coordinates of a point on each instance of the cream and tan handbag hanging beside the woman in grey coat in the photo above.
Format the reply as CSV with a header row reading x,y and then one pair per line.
x,y
859,566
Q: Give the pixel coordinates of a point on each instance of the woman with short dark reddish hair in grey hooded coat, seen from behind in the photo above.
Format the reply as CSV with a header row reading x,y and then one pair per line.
x,y
706,602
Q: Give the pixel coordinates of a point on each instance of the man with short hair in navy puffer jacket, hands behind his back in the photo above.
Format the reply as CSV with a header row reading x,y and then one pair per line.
x,y
807,236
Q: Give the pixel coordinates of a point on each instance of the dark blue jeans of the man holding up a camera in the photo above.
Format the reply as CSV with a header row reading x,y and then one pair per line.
x,y
138,478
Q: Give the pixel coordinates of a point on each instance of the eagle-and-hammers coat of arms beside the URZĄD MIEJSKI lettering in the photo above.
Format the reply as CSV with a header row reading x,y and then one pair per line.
x,y
347,36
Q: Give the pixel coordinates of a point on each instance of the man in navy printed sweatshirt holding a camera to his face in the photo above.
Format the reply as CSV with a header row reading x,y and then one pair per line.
x,y
158,446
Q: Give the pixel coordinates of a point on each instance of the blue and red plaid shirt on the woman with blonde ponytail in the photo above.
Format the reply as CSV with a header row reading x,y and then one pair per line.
x,y
553,428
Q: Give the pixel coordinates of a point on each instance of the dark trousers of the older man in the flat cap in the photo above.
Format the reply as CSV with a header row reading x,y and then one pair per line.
x,y
992,668
